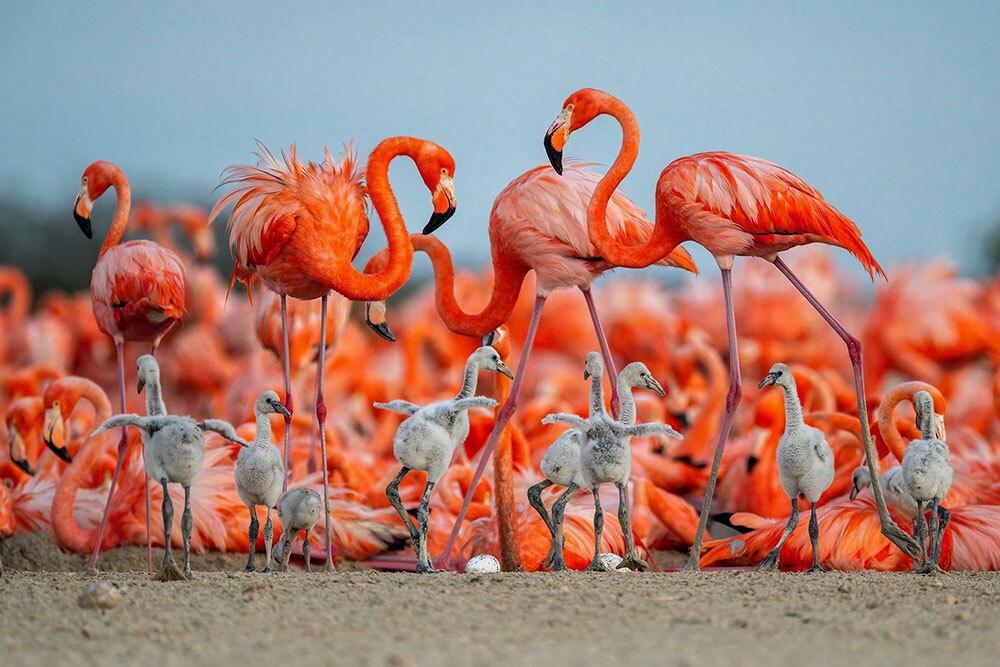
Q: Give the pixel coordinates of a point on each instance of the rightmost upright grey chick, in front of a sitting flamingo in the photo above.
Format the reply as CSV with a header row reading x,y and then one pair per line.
x,y
927,475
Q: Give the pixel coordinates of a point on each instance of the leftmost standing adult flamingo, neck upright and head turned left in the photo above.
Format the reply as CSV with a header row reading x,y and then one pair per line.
x,y
137,292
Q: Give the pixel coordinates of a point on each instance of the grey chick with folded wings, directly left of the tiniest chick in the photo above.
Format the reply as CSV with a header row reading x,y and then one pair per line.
x,y
260,474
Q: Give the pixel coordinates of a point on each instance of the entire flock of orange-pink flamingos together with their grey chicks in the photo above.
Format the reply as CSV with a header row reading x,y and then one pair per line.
x,y
882,421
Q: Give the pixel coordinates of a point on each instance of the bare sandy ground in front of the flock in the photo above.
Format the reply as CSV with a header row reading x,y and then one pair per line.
x,y
365,617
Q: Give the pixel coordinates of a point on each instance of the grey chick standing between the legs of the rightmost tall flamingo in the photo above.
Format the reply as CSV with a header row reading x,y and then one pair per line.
x,y
805,464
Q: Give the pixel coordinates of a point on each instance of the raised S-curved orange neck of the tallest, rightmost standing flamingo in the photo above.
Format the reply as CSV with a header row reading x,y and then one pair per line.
x,y
664,237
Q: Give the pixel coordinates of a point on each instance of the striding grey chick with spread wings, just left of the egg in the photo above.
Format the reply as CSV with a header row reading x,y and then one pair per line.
x,y
427,439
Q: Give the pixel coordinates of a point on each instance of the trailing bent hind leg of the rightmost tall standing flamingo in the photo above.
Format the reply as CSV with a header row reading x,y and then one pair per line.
x,y
893,532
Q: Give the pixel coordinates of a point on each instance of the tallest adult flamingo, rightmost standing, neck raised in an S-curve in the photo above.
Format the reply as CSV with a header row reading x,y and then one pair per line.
x,y
731,205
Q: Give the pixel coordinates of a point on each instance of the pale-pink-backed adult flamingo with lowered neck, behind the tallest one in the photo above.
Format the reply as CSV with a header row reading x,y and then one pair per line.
x,y
537,223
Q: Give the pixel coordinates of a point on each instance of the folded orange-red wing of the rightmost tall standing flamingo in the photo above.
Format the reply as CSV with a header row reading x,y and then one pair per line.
x,y
768,204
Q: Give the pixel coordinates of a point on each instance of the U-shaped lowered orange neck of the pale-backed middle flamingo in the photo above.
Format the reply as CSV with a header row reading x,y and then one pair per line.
x,y
508,275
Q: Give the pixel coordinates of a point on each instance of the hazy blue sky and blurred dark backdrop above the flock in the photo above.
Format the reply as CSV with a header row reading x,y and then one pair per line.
x,y
890,109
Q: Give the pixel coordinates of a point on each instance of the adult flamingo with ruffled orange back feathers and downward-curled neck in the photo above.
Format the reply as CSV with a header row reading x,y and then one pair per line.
x,y
299,225
